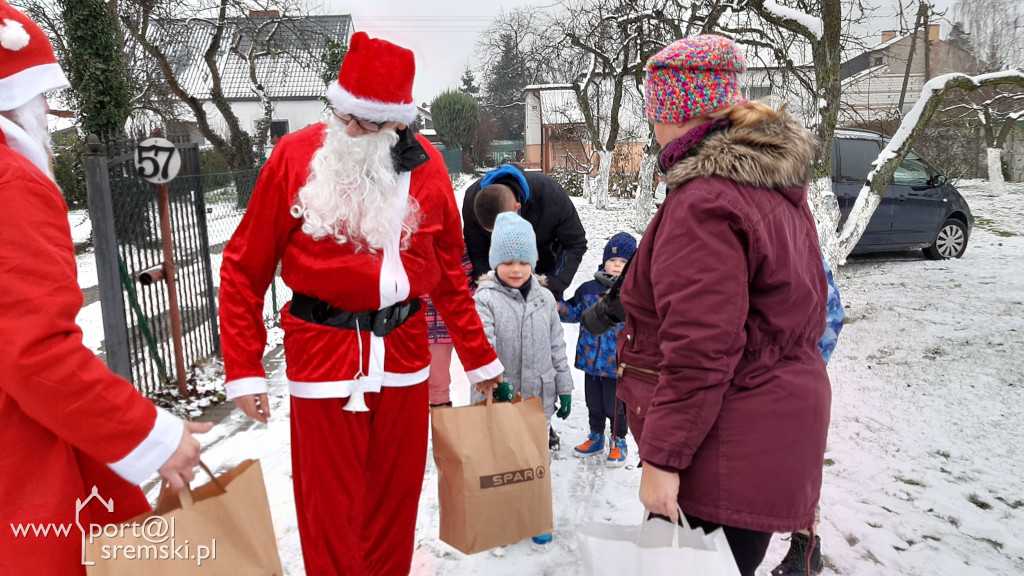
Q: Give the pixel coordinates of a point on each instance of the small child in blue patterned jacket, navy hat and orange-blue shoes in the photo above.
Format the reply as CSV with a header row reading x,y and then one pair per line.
x,y
596,357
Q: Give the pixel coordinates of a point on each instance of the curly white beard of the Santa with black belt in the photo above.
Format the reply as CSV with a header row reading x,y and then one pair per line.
x,y
353,191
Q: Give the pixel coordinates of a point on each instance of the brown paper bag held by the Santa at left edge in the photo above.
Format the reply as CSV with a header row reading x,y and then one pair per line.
x,y
223,528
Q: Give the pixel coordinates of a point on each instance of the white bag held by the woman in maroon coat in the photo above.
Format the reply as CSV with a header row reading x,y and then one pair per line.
x,y
657,548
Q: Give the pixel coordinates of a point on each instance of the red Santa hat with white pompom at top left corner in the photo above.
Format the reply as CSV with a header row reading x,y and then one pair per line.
x,y
28,67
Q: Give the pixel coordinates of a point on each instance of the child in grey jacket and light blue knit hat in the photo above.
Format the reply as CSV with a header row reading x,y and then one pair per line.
x,y
521,318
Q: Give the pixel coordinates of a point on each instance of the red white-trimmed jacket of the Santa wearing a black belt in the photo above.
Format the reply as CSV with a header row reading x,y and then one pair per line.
x,y
326,362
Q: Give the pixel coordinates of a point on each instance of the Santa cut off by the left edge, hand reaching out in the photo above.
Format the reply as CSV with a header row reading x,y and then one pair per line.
x,y
69,428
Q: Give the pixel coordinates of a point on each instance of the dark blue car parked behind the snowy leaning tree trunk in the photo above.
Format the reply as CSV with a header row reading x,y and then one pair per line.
x,y
920,210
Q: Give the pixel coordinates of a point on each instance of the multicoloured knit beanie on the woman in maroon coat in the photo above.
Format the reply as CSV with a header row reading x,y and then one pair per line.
x,y
694,77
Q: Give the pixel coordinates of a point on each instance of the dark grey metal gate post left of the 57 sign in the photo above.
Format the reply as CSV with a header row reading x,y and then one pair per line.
x,y
105,242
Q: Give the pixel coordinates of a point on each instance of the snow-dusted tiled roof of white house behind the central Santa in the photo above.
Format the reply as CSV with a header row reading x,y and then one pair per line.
x,y
290,62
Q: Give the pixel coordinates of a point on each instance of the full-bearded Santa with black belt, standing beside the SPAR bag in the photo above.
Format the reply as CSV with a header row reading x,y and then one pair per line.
x,y
360,214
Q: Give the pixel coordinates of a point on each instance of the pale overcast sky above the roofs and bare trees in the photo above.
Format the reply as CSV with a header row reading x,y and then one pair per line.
x,y
444,33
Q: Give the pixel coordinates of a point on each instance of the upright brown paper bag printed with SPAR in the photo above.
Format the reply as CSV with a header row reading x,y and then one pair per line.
x,y
493,474
